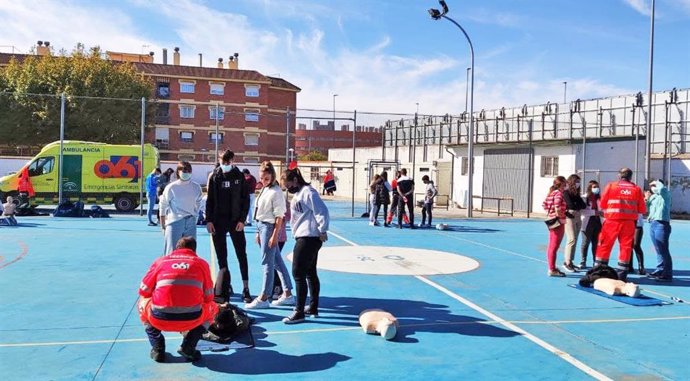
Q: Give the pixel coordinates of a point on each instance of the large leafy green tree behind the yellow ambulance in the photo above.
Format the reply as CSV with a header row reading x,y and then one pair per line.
x,y
103,99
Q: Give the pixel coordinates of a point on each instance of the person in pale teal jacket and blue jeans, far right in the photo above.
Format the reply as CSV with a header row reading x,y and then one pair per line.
x,y
658,200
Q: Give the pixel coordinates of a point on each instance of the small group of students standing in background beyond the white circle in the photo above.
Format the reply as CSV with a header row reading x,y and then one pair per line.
x,y
402,190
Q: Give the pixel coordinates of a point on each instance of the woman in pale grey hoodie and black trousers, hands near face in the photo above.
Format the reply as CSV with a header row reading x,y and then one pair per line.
x,y
309,222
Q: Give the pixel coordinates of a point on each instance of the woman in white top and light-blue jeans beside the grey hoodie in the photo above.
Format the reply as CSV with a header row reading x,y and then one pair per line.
x,y
269,213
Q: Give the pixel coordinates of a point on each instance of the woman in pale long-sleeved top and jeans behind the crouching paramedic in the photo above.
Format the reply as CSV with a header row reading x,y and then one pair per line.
x,y
179,207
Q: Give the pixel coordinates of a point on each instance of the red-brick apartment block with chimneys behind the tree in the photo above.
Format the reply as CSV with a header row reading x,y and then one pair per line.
x,y
251,108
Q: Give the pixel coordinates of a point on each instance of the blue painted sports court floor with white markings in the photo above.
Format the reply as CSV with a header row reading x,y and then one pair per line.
x,y
473,302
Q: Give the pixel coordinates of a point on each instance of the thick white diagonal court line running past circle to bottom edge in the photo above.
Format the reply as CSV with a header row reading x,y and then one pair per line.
x,y
558,352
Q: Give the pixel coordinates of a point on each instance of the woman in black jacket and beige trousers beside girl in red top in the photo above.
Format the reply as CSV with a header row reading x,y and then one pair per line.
x,y
573,221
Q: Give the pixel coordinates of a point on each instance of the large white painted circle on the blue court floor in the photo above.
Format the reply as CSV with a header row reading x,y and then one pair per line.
x,y
385,260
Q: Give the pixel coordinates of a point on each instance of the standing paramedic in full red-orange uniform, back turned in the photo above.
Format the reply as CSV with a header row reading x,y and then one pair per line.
x,y
621,202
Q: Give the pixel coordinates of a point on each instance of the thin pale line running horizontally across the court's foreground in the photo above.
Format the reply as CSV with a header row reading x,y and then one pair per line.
x,y
338,329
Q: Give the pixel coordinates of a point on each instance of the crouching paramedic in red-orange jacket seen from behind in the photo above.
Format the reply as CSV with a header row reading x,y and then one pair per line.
x,y
177,295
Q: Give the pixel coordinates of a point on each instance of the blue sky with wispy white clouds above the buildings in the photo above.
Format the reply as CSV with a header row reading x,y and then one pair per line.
x,y
388,55
